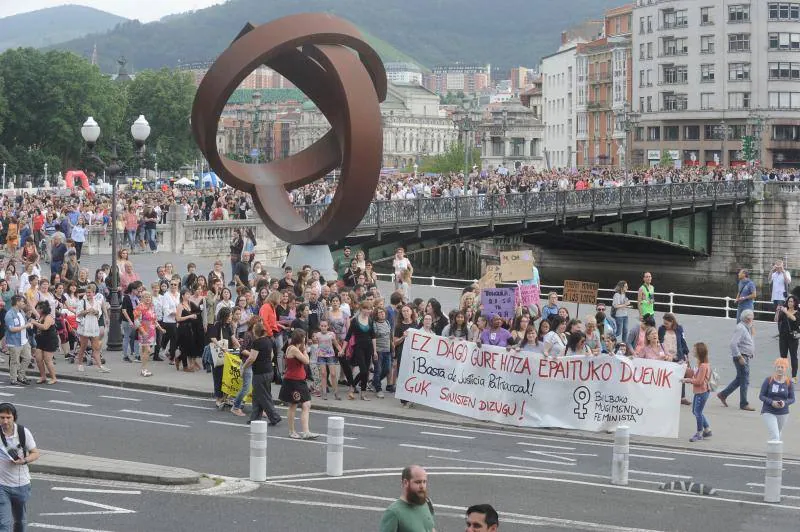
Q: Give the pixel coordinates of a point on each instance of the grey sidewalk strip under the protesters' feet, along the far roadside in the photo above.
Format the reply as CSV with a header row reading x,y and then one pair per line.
x,y
735,431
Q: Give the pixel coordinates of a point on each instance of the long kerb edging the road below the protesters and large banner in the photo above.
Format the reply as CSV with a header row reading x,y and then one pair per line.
x,y
466,422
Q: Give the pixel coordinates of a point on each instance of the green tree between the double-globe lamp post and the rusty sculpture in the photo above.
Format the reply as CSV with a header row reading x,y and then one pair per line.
x,y
165,98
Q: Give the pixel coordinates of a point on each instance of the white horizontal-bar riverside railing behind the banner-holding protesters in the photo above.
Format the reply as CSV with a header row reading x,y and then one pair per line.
x,y
664,301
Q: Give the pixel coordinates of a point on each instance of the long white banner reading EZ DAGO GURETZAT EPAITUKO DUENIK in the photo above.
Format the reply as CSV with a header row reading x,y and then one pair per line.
x,y
524,389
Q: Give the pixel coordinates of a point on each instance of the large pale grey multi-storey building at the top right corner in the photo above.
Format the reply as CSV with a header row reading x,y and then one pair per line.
x,y
711,76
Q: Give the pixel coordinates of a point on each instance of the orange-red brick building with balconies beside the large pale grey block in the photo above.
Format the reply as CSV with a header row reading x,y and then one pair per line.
x,y
602,88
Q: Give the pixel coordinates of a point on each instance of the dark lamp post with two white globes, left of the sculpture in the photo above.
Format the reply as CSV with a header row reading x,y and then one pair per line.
x,y
90,132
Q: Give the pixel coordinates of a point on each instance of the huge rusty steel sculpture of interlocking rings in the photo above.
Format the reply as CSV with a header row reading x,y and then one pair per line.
x,y
326,58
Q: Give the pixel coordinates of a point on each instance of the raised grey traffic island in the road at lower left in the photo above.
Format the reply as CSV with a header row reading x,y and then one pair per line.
x,y
73,465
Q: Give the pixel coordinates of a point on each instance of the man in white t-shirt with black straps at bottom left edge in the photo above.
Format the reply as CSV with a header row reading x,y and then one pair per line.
x,y
19,450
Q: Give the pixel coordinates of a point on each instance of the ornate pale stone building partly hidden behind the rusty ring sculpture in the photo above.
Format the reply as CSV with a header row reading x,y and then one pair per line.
x,y
414,126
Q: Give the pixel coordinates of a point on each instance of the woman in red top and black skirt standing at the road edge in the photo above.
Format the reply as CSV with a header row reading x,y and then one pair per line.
x,y
294,389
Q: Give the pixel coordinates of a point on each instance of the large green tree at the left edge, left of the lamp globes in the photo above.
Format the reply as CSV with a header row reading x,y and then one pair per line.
x,y
53,93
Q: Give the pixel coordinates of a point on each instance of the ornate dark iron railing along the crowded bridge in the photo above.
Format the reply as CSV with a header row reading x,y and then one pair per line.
x,y
543,205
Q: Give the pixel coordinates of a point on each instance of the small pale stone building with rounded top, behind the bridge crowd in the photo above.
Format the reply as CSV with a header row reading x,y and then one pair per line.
x,y
511,136
